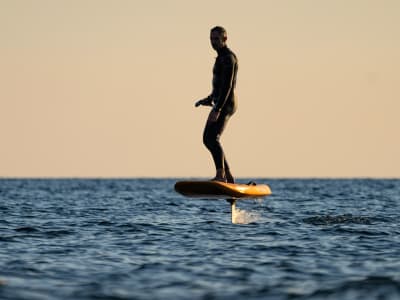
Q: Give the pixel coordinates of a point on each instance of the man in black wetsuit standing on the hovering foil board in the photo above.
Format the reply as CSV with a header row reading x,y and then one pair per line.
x,y
222,99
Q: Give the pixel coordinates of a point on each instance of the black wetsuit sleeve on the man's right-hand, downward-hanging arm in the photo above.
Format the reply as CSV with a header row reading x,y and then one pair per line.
x,y
227,75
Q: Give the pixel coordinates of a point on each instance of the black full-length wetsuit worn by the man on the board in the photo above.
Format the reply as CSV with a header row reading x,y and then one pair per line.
x,y
223,98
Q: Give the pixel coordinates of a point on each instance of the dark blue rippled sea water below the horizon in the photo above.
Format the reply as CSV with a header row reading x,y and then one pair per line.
x,y
138,239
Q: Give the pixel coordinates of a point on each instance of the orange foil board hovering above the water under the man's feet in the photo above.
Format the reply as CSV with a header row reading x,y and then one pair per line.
x,y
221,190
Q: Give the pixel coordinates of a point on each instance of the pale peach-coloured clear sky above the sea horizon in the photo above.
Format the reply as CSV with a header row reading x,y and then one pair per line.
x,y
96,88
